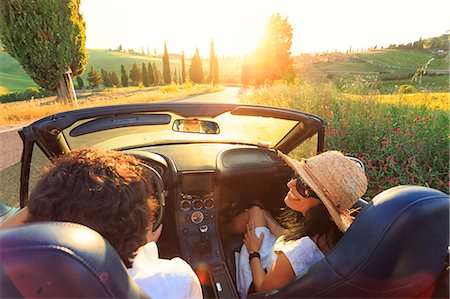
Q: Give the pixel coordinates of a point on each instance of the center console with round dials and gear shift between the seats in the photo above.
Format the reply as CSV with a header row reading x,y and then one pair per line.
x,y
198,232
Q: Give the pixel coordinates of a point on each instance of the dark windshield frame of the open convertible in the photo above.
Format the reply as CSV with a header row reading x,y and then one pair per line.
x,y
47,132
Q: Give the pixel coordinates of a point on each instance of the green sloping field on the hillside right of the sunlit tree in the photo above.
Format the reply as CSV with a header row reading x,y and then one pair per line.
x,y
383,71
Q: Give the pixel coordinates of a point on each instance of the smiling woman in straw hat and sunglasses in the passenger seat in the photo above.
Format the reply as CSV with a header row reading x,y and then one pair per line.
x,y
326,188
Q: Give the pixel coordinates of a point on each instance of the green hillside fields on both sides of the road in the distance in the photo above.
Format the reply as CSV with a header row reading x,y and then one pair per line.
x,y
397,66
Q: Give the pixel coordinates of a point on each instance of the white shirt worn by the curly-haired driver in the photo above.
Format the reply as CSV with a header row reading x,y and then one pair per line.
x,y
162,278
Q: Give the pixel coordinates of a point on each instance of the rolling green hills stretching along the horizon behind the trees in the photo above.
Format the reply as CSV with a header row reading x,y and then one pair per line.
x,y
394,64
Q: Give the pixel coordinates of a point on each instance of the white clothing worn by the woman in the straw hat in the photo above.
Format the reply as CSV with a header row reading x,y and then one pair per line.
x,y
301,253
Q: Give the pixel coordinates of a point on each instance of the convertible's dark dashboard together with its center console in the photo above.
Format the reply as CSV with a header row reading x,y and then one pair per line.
x,y
202,183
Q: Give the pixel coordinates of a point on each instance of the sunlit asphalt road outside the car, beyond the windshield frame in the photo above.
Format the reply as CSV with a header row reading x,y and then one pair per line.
x,y
11,144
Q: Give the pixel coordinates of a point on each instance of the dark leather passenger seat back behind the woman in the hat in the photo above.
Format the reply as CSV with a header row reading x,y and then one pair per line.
x,y
396,248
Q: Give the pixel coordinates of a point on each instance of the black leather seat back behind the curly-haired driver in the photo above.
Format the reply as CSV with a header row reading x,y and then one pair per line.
x,y
61,260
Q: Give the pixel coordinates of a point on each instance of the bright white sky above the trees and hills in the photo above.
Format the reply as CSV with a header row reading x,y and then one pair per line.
x,y
236,26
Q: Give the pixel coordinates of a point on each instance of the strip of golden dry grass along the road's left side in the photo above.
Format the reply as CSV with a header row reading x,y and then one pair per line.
x,y
28,111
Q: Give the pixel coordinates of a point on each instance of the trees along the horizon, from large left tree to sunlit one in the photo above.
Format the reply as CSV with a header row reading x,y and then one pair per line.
x,y
59,51
